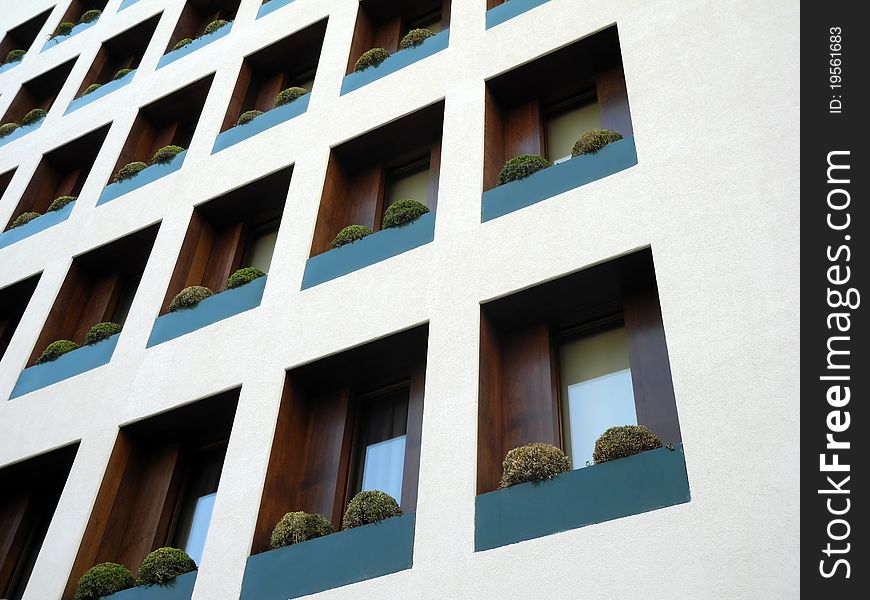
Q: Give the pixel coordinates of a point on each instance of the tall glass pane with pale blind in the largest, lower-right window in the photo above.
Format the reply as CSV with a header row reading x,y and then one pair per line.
x,y
596,390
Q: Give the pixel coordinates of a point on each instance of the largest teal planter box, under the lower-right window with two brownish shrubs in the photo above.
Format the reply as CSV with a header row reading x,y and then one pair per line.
x,y
620,488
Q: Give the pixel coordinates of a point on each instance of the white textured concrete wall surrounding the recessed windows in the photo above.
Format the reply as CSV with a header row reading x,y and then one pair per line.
x,y
714,97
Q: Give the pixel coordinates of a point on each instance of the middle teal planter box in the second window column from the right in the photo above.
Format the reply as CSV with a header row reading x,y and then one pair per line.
x,y
370,250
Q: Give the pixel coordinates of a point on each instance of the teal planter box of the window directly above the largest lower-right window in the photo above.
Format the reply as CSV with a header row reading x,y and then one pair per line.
x,y
557,179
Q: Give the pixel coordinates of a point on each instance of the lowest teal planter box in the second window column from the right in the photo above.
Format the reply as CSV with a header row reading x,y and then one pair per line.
x,y
331,561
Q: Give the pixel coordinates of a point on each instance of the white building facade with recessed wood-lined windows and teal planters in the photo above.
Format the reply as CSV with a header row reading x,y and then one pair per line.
x,y
653,281
